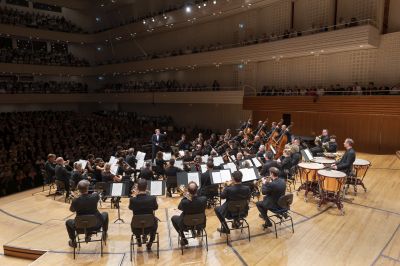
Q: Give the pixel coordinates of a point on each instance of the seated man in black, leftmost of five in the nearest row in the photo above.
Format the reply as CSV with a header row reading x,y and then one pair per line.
x,y
86,204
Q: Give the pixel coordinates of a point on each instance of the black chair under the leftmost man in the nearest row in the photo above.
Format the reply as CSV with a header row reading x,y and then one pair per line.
x,y
86,224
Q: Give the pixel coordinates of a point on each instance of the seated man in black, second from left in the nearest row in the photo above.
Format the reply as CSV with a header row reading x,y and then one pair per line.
x,y
143,203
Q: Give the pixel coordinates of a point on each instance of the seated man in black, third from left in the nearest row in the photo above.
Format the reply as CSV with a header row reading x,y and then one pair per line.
x,y
190,204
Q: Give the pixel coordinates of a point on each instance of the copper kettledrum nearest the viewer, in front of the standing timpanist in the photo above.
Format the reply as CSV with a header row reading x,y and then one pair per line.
x,y
331,183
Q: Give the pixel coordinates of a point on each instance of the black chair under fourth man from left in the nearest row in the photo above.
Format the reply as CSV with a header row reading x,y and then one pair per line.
x,y
237,214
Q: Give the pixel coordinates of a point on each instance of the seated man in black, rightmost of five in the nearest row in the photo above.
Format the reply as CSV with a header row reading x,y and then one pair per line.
x,y
272,190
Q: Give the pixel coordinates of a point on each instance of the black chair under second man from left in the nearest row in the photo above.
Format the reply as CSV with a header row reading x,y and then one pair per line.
x,y
143,222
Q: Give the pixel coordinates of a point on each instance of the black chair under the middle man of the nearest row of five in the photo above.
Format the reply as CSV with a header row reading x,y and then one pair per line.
x,y
194,223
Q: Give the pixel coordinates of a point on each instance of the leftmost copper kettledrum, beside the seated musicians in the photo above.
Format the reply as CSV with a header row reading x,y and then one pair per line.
x,y
308,174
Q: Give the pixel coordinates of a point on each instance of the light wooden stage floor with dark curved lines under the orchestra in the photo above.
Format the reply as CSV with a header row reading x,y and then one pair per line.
x,y
368,233
